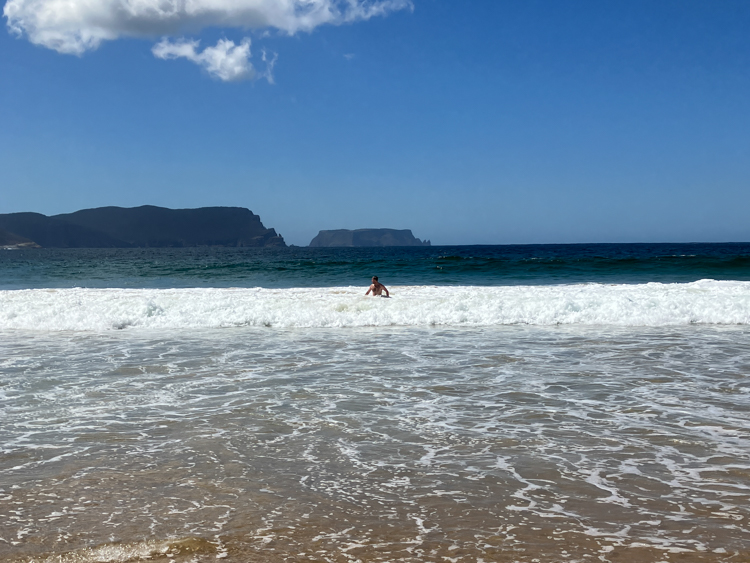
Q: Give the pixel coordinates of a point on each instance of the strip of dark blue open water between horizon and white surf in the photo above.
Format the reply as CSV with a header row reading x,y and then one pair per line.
x,y
321,267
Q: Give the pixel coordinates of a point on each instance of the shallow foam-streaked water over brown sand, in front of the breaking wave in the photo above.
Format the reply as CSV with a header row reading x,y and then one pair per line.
x,y
504,443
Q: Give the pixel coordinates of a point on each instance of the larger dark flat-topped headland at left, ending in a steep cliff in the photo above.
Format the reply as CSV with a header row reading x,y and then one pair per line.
x,y
138,227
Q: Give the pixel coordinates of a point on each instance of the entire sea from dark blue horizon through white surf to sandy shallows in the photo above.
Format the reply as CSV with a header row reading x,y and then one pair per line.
x,y
531,403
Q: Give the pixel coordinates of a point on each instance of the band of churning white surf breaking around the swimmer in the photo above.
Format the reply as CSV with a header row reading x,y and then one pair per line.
x,y
654,304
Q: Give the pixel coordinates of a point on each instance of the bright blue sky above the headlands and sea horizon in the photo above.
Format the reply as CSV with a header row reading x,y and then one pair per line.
x,y
467,122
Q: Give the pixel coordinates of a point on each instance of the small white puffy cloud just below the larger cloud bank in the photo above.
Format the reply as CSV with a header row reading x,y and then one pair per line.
x,y
226,61
